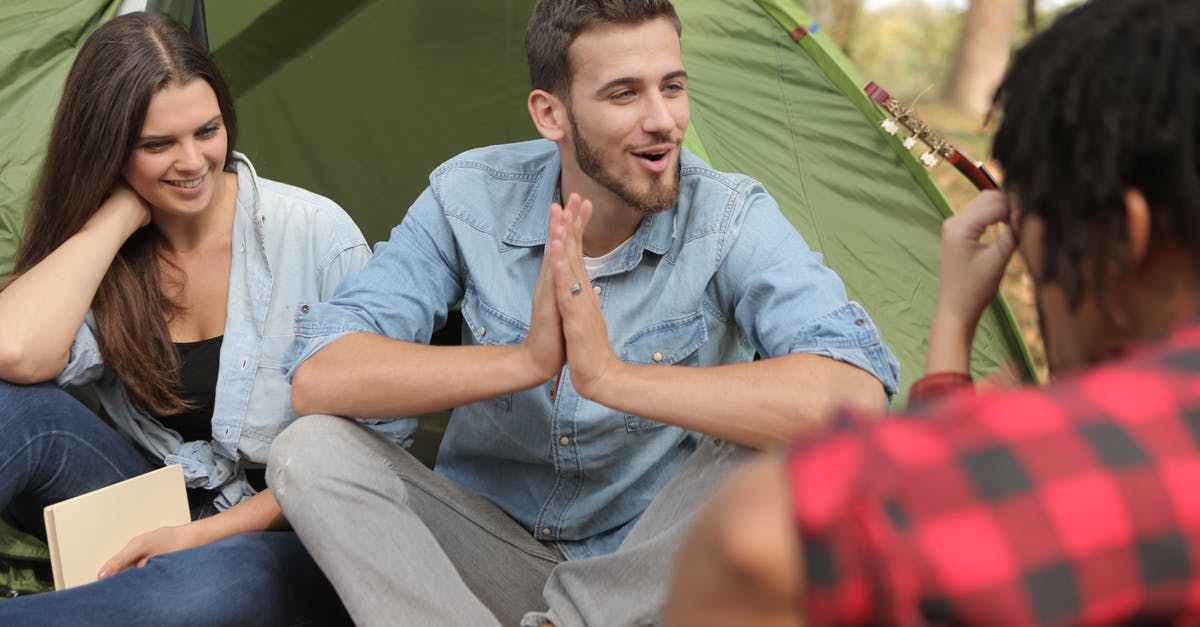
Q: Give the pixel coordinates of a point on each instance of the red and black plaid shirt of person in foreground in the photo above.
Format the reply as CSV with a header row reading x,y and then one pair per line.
x,y
1073,505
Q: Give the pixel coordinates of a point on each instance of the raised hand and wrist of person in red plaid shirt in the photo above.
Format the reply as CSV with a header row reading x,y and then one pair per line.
x,y
970,279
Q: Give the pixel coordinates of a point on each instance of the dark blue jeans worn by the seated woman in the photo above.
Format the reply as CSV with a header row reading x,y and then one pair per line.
x,y
53,449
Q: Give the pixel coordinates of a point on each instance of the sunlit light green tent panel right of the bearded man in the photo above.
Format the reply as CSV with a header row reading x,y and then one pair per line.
x,y
801,123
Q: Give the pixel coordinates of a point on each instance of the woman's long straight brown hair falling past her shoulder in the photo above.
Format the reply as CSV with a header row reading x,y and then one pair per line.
x,y
119,69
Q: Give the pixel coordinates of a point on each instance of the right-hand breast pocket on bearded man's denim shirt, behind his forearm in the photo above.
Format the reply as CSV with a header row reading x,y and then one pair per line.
x,y
676,342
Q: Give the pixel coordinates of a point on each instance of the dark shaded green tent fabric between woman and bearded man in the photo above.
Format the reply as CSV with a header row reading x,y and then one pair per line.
x,y
364,101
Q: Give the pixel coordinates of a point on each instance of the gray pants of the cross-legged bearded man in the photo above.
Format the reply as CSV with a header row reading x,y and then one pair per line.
x,y
405,546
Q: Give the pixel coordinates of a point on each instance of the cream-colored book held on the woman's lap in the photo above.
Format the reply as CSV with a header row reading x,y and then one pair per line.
x,y
86,532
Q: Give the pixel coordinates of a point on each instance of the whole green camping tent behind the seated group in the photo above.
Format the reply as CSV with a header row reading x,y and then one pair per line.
x,y
361,100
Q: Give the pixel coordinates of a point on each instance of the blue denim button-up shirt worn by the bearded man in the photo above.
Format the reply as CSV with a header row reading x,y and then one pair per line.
x,y
709,283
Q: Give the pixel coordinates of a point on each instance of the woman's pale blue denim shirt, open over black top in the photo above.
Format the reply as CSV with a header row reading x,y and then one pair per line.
x,y
289,246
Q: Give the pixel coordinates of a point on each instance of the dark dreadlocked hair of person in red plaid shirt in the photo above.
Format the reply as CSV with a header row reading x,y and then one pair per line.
x,y
1105,101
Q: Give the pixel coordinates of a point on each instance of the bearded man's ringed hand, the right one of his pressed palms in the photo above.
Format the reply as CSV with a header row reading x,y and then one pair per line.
x,y
589,353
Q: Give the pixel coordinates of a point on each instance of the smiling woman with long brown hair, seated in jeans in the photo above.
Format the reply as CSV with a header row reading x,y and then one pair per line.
x,y
158,267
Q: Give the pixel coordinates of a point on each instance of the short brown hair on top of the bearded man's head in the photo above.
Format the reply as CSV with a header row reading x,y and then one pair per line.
x,y
555,25
